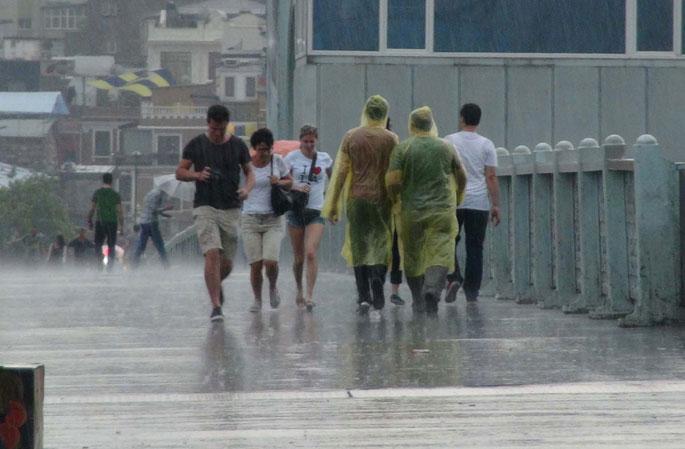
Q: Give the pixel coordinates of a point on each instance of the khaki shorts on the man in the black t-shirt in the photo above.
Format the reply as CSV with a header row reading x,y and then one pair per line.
x,y
217,229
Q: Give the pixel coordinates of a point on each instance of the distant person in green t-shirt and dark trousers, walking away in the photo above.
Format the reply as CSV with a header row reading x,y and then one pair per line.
x,y
108,212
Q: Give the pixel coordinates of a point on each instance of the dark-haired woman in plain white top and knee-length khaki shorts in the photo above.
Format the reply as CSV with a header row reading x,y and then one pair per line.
x,y
262,230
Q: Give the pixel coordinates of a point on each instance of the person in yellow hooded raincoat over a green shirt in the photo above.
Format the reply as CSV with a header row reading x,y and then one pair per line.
x,y
427,179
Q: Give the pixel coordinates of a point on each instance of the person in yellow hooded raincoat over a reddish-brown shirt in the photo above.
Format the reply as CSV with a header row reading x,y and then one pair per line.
x,y
357,189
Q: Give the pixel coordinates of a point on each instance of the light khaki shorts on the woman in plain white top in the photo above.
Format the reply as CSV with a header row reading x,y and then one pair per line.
x,y
262,235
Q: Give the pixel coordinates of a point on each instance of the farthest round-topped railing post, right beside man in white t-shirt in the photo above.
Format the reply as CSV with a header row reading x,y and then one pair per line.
x,y
501,249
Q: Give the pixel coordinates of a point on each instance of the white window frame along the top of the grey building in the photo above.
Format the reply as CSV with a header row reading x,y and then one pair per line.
x,y
630,39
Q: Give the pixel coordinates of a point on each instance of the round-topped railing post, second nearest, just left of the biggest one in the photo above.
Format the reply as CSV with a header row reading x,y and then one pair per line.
x,y
617,304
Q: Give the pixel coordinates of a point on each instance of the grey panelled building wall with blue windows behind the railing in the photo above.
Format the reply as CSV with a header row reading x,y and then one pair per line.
x,y
542,71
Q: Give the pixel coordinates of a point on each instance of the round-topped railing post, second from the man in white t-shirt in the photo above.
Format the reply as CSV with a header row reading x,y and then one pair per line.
x,y
521,188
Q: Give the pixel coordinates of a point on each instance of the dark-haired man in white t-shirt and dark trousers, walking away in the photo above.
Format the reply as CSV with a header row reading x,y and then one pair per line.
x,y
481,202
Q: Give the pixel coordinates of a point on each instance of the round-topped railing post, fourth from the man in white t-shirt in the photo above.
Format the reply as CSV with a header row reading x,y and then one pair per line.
x,y
564,224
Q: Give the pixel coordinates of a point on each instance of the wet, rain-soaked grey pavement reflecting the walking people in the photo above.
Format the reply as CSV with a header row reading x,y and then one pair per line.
x,y
125,346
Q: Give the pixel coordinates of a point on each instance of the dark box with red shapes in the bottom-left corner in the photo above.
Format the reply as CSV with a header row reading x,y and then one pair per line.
x,y
21,406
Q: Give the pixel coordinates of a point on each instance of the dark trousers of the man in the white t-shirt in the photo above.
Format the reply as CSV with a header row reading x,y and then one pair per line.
x,y
474,223
